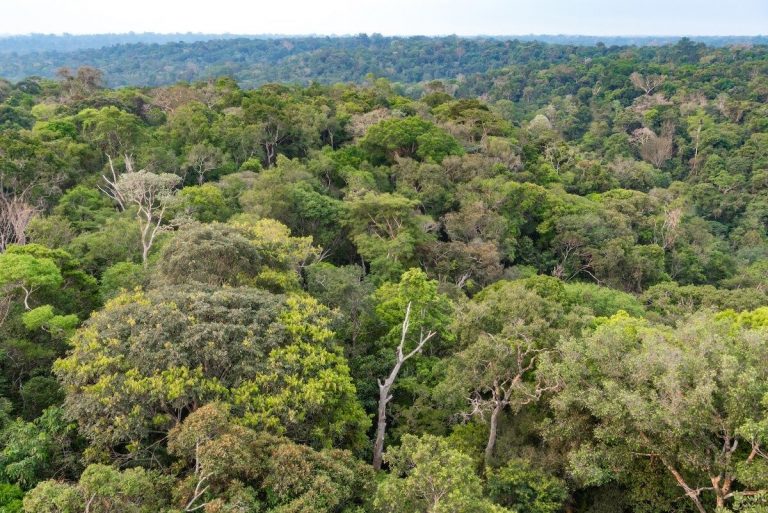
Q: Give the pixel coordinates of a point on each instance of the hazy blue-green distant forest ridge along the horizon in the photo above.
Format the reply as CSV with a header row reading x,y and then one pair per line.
x,y
161,59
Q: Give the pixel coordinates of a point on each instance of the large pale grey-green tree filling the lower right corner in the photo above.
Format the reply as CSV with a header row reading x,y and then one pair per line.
x,y
691,399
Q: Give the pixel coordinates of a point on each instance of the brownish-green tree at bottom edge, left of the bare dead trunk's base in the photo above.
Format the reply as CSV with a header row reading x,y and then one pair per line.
x,y
222,457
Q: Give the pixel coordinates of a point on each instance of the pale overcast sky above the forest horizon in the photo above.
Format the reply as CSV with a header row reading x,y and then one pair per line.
x,y
389,17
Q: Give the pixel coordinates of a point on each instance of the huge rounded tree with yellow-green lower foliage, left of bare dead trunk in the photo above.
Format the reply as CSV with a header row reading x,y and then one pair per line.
x,y
149,359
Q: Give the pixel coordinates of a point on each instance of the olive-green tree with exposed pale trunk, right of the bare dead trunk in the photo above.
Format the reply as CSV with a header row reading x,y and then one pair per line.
x,y
504,332
